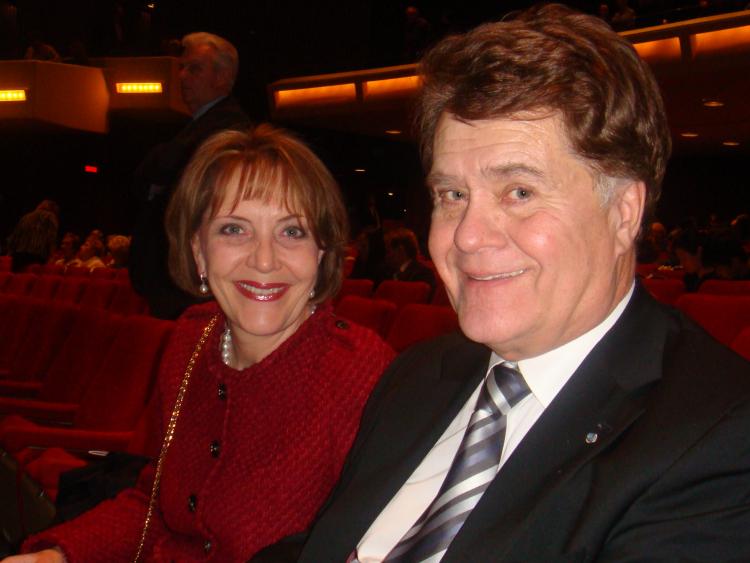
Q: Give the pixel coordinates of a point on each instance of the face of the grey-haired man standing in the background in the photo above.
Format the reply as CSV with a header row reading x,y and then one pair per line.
x,y
200,81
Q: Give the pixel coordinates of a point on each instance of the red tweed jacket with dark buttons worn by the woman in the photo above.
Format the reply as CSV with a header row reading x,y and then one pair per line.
x,y
255,452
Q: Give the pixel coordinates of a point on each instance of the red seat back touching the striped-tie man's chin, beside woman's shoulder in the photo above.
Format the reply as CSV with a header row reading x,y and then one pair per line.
x,y
417,322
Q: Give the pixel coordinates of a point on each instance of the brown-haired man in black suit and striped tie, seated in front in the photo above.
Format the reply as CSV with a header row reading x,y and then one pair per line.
x,y
545,140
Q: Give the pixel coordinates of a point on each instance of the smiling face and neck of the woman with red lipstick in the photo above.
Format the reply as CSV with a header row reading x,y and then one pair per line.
x,y
261,261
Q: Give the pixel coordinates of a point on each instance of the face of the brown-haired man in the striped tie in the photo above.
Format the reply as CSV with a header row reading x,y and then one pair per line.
x,y
530,256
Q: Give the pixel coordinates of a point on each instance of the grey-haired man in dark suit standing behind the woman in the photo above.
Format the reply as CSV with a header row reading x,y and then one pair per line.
x,y
208,69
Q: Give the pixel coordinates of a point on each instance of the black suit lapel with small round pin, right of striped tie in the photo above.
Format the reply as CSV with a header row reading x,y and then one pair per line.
x,y
601,400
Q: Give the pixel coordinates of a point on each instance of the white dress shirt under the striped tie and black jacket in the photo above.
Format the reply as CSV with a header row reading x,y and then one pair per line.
x,y
545,375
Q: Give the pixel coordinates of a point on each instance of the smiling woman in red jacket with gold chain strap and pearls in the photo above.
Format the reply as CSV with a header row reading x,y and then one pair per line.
x,y
266,384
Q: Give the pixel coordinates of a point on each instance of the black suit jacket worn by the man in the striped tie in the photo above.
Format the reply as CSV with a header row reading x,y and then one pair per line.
x,y
664,475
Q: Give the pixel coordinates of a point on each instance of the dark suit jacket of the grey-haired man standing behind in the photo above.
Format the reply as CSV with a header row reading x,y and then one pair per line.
x,y
163,167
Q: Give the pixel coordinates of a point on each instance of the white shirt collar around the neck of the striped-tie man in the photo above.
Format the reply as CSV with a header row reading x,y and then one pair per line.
x,y
548,373
